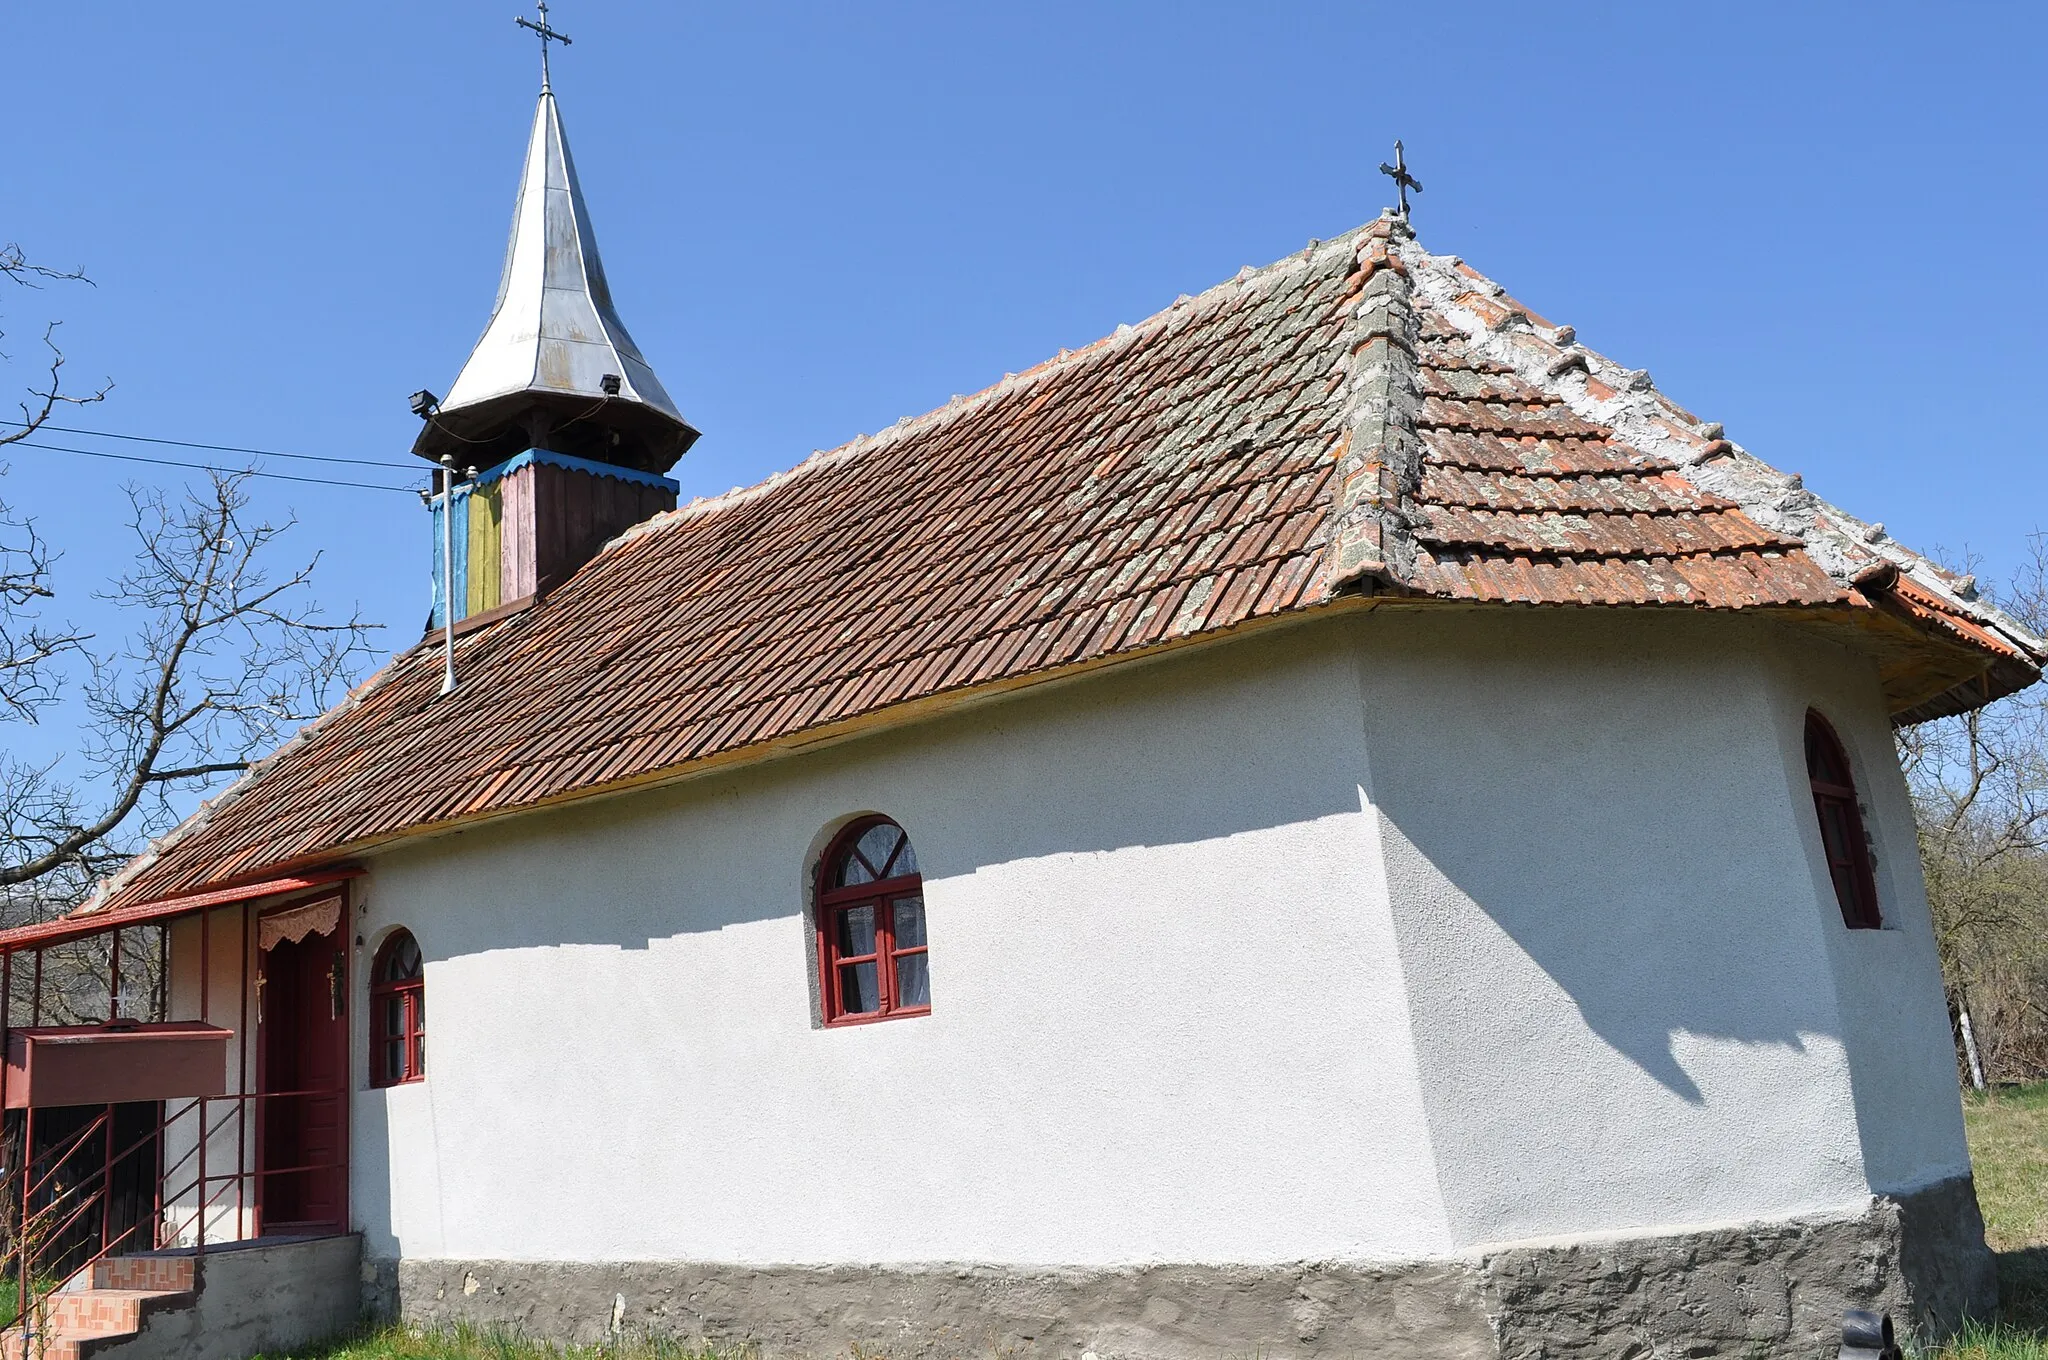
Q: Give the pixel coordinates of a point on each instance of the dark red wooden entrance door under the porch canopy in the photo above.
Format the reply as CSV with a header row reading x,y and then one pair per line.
x,y
304,1076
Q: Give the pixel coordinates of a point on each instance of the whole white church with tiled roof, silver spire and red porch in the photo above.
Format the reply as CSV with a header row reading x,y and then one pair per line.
x,y
1332,820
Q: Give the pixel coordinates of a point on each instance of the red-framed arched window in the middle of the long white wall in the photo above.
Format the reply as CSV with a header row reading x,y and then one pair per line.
x,y
871,927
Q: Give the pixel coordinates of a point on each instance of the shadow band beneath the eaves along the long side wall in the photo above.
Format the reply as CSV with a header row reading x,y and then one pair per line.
x,y
1252,736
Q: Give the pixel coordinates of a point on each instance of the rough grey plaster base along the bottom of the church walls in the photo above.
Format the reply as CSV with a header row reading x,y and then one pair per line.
x,y
1777,1289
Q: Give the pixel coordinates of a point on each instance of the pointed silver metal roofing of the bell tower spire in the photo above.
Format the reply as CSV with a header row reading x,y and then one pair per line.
x,y
540,376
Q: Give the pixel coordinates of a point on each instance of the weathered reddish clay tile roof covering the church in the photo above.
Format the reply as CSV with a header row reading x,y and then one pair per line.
x,y
1359,425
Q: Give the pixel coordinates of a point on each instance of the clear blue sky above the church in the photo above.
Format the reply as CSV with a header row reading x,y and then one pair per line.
x,y
1816,224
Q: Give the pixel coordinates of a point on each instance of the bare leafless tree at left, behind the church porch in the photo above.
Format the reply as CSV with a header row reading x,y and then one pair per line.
x,y
222,650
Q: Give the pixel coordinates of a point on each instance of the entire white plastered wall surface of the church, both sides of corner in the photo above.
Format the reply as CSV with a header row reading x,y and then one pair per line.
x,y
1371,939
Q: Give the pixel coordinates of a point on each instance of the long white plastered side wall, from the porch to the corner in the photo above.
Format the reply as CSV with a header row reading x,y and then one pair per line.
x,y
1166,1003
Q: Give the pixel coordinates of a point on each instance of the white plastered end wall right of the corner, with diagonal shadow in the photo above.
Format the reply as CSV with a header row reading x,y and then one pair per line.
x,y
1623,951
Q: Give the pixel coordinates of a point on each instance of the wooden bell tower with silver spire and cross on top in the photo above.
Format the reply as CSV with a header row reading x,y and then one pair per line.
x,y
560,413
